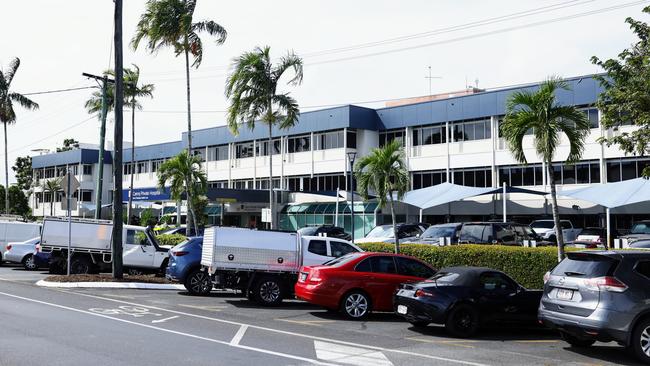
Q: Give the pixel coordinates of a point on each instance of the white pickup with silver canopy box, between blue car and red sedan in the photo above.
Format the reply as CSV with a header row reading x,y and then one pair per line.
x,y
264,265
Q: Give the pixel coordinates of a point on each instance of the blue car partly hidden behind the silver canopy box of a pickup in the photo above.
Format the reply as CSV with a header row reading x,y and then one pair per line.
x,y
185,266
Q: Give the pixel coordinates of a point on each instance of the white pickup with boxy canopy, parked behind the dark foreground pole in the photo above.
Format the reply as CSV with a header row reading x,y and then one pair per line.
x,y
91,247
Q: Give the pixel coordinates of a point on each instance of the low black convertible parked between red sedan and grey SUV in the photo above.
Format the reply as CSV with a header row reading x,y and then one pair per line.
x,y
466,298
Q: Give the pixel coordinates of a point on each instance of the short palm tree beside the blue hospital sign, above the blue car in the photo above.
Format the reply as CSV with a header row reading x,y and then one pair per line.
x,y
184,174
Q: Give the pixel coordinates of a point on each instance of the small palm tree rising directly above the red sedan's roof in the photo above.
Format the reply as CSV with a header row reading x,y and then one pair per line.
x,y
384,171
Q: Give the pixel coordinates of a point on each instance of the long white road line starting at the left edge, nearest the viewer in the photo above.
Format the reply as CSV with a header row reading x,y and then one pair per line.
x,y
260,350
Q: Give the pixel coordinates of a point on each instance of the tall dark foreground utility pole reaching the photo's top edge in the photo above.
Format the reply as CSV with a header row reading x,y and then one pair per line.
x,y
117,152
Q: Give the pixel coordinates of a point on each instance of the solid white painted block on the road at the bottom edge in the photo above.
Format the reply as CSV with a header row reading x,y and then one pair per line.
x,y
333,352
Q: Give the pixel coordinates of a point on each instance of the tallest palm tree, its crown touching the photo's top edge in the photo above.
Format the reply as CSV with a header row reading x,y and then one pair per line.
x,y
169,23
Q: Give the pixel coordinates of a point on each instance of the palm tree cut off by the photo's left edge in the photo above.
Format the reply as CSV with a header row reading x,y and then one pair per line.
x,y
7,113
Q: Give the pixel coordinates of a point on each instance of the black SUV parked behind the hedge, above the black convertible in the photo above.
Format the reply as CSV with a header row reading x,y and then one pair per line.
x,y
502,233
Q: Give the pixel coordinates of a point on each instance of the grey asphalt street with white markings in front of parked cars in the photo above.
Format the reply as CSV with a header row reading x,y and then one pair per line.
x,y
147,327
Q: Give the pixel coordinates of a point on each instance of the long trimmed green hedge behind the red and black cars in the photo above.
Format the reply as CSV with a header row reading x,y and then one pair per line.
x,y
525,265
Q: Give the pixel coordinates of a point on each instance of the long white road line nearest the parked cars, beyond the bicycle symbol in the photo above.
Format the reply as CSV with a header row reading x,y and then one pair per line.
x,y
224,321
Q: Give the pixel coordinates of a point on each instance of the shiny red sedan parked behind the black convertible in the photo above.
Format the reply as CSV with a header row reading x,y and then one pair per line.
x,y
359,283
